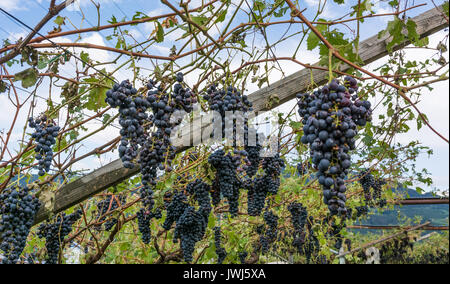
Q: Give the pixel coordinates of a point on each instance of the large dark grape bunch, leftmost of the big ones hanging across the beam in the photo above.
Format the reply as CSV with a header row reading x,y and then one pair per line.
x,y
132,109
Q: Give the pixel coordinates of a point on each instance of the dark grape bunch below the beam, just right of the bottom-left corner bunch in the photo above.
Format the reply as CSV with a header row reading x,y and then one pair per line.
x,y
55,233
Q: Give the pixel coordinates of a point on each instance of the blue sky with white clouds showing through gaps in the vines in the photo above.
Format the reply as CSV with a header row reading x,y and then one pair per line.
x,y
436,106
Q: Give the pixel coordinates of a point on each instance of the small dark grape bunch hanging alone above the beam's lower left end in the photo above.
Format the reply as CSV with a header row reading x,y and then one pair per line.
x,y
44,134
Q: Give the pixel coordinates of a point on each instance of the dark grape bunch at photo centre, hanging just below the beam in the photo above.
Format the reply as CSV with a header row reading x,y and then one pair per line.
x,y
226,183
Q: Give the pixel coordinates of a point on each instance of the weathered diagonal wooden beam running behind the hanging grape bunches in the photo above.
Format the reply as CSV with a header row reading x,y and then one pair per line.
x,y
286,89
